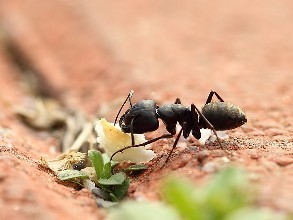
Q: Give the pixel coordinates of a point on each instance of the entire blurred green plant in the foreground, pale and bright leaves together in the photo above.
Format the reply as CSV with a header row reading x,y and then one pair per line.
x,y
228,196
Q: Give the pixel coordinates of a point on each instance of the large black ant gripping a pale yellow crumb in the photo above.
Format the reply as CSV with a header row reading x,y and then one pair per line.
x,y
143,117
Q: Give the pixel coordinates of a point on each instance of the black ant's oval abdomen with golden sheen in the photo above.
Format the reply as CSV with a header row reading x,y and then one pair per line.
x,y
224,115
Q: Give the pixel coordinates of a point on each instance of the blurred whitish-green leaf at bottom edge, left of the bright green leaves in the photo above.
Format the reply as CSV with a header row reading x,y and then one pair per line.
x,y
134,210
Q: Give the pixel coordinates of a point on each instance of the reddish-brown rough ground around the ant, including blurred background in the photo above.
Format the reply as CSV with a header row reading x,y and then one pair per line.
x,y
91,53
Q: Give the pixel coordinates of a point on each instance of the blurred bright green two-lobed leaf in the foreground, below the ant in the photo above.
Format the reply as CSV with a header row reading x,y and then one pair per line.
x,y
226,193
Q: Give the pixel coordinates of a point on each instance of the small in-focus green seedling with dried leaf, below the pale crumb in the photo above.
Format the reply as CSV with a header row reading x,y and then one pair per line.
x,y
99,175
